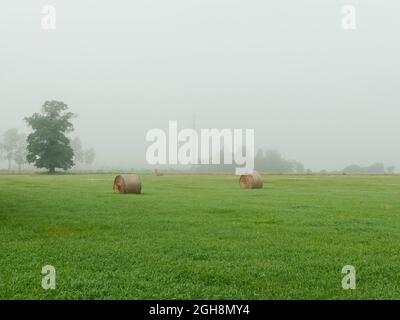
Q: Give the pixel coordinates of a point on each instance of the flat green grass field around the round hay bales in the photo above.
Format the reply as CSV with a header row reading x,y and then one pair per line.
x,y
200,237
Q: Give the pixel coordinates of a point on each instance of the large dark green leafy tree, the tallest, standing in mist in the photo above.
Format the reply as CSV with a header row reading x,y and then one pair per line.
x,y
48,147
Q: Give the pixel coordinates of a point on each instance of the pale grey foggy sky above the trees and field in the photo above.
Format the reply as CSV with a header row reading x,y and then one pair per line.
x,y
320,94
